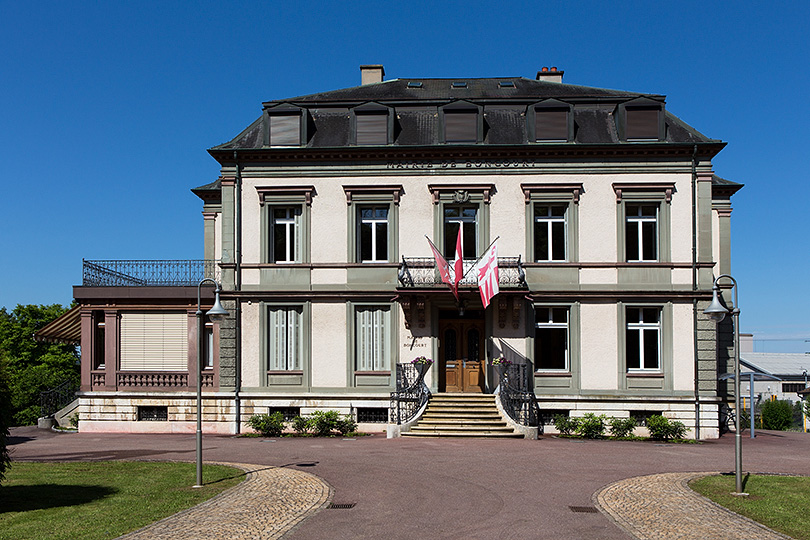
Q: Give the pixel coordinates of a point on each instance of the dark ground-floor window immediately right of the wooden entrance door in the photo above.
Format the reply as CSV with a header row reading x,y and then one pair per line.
x,y
551,338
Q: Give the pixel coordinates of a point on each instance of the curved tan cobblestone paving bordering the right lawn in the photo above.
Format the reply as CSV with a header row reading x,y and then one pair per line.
x,y
661,506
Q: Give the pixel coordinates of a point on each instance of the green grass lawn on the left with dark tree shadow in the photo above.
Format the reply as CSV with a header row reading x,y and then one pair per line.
x,y
93,501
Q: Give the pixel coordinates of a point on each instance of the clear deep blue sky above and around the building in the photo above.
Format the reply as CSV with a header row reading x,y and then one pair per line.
x,y
108,108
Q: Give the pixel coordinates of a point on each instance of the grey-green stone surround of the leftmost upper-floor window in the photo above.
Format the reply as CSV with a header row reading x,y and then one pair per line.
x,y
271,198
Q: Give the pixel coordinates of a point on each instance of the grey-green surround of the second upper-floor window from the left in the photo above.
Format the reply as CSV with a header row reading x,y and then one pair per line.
x,y
365,196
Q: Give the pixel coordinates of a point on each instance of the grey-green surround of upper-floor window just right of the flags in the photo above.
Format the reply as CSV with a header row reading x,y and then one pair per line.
x,y
553,195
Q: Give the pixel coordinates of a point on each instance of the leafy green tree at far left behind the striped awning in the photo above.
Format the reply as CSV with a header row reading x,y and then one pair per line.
x,y
33,366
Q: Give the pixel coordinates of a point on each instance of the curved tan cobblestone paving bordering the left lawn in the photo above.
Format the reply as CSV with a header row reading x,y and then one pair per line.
x,y
267,505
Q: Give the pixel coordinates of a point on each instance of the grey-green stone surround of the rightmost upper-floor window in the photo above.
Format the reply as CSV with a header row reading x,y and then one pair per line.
x,y
658,195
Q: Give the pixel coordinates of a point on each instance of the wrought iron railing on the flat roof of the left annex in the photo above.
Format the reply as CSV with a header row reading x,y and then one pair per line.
x,y
148,273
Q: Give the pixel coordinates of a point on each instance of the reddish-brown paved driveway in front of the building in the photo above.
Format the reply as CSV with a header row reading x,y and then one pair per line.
x,y
445,488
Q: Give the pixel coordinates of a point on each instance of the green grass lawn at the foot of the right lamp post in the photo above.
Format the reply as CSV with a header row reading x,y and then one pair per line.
x,y
778,502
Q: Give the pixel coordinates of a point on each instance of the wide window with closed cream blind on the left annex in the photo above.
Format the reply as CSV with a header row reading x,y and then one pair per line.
x,y
156,341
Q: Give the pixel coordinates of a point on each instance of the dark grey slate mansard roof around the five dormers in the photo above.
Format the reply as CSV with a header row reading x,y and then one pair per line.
x,y
417,113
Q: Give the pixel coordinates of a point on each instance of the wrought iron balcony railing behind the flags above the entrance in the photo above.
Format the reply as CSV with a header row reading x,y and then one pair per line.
x,y
422,272
